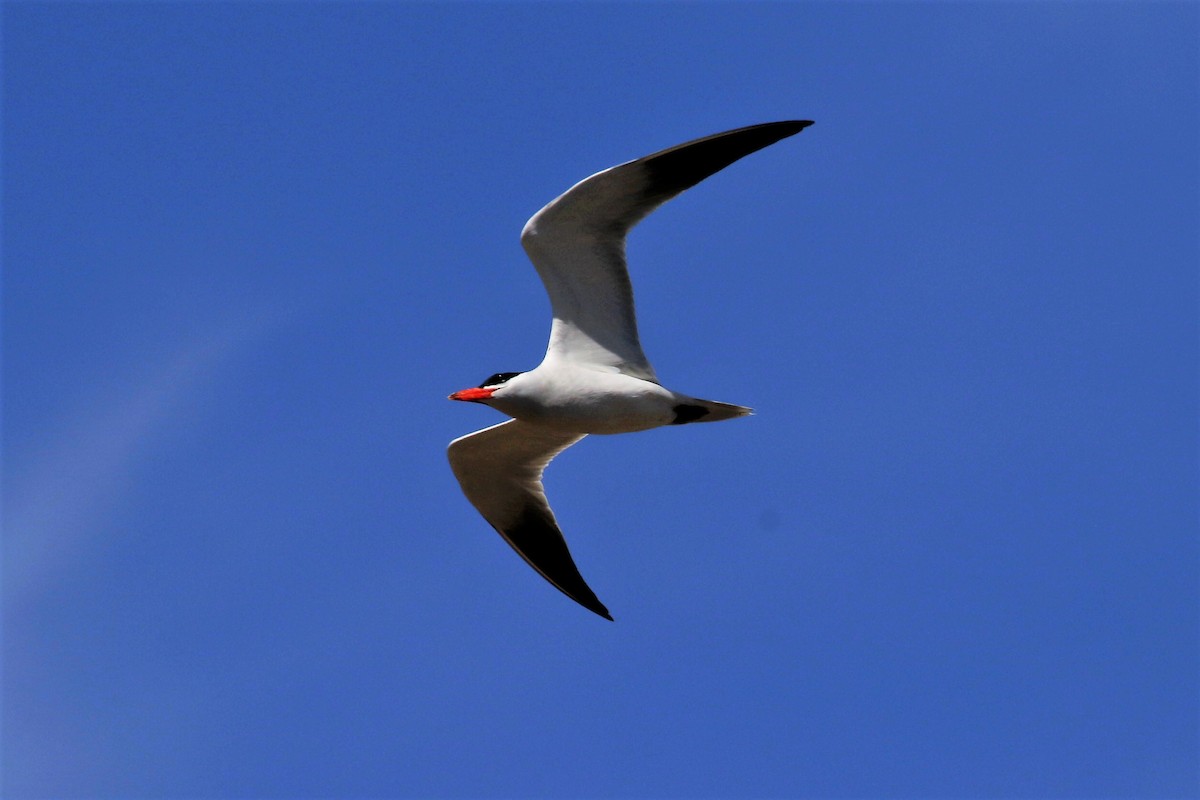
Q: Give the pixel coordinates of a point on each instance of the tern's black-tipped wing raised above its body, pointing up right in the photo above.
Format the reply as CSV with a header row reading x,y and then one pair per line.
x,y
578,243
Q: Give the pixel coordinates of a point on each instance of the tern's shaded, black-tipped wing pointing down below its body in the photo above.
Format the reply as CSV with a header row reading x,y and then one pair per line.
x,y
500,470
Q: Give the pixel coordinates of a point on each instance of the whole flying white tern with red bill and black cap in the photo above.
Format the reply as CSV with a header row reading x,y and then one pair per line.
x,y
595,378
